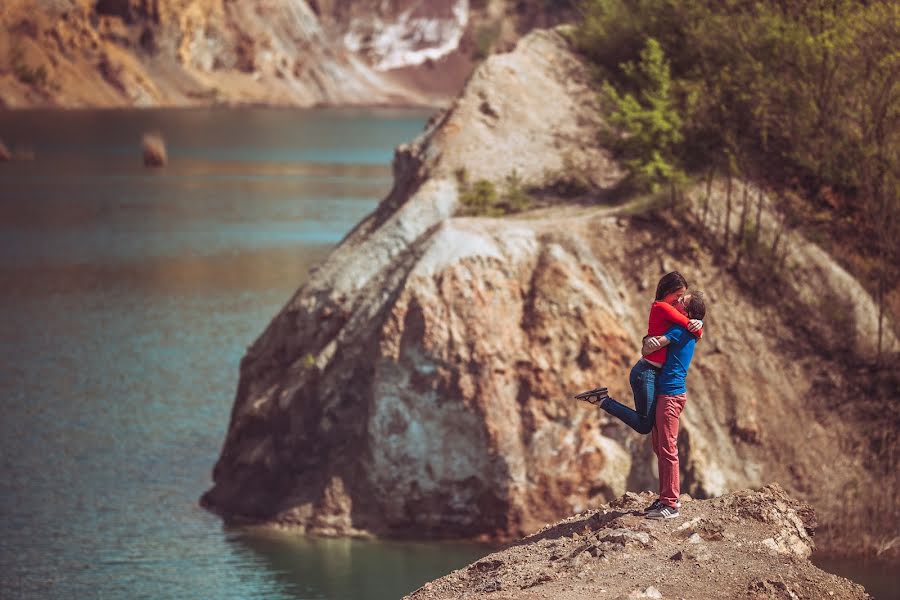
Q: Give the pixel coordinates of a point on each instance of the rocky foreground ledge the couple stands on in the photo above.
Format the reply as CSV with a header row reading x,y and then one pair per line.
x,y
741,545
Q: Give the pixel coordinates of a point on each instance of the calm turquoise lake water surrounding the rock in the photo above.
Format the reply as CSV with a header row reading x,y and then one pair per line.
x,y
128,298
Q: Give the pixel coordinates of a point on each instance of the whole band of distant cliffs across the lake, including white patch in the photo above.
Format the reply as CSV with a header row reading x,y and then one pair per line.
x,y
119,53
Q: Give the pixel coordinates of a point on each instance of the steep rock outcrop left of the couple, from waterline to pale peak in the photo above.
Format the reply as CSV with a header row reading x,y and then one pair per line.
x,y
424,364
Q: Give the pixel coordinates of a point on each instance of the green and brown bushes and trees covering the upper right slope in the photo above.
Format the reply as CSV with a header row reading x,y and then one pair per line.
x,y
802,98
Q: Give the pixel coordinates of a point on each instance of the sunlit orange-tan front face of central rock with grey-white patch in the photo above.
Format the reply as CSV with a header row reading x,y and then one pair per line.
x,y
468,412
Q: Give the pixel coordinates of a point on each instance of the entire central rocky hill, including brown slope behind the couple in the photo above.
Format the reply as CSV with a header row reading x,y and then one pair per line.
x,y
420,383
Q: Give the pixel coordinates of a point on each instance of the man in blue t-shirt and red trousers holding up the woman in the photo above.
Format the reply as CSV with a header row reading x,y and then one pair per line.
x,y
671,395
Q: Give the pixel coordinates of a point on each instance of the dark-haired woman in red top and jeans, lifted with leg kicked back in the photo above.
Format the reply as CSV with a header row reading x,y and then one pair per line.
x,y
664,313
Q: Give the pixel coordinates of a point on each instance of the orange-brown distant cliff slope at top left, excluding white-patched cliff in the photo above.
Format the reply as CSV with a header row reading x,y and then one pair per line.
x,y
184,52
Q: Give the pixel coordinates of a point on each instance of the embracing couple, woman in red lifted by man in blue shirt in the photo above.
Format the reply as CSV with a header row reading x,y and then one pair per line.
x,y
658,382
